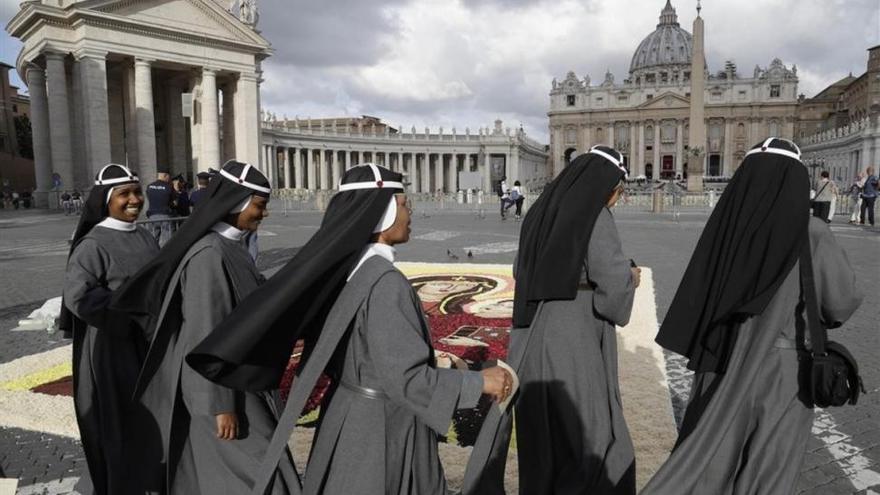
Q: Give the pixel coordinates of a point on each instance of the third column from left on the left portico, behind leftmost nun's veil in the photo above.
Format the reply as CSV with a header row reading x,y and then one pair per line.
x,y
93,73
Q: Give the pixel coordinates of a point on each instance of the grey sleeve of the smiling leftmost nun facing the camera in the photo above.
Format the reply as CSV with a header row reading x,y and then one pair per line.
x,y
86,293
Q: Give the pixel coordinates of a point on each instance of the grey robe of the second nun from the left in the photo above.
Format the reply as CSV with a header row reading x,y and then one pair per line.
x,y
213,277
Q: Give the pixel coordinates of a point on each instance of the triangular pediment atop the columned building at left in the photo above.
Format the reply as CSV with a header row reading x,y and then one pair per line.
x,y
202,17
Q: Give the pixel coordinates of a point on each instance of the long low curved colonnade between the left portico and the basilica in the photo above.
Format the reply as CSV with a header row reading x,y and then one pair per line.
x,y
313,154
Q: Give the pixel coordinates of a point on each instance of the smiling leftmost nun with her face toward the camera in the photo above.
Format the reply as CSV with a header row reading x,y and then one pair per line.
x,y
108,248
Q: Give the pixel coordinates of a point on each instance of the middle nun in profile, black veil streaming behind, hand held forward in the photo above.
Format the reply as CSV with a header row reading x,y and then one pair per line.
x,y
378,433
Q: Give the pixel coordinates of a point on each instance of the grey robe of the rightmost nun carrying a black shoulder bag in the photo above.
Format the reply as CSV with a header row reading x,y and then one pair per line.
x,y
752,434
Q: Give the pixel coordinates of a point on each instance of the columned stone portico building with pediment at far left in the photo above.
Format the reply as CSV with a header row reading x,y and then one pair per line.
x,y
138,83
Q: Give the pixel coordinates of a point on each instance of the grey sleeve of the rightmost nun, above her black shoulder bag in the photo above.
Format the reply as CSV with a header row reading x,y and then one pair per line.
x,y
835,279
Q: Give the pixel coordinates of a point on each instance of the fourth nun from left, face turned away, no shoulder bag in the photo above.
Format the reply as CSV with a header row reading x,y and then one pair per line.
x,y
573,285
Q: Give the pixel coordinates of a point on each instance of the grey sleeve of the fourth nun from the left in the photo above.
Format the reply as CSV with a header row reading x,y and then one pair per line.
x,y
609,272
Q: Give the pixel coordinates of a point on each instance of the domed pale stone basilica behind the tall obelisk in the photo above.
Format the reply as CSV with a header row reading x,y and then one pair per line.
x,y
647,115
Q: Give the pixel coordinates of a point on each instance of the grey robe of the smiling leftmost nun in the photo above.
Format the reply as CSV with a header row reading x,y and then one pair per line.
x,y
108,354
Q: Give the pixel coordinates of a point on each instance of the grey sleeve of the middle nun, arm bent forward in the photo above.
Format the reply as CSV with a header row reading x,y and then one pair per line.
x,y
403,358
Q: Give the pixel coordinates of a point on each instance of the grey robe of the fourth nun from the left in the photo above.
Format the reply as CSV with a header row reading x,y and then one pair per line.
x,y
571,433
